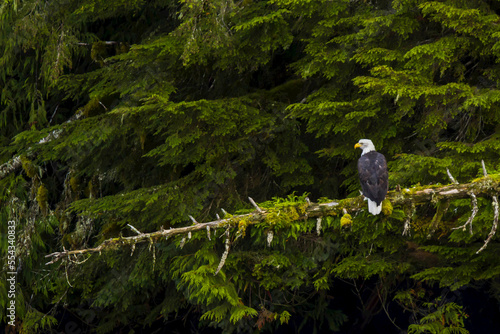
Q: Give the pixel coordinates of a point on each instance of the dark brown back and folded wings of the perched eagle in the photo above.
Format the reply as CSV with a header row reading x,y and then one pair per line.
x,y
373,175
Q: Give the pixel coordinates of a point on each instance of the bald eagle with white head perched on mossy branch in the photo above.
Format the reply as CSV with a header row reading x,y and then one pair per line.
x,y
373,175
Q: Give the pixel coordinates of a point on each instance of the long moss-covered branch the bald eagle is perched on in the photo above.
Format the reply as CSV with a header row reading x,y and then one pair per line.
x,y
487,186
